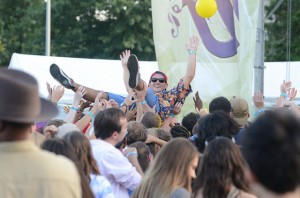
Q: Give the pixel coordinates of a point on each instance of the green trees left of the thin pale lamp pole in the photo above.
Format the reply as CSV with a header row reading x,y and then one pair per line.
x,y
21,28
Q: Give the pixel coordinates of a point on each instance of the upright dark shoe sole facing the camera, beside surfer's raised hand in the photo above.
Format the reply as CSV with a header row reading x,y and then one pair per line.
x,y
133,68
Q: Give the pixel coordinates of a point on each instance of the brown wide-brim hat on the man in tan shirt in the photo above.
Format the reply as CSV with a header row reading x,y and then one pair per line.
x,y
20,100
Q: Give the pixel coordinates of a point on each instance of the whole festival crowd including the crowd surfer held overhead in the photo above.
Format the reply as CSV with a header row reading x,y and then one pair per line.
x,y
110,146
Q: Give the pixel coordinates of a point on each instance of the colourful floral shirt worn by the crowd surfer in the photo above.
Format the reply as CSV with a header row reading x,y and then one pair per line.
x,y
168,99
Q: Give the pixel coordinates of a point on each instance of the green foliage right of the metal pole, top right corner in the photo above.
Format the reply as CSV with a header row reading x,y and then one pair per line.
x,y
275,46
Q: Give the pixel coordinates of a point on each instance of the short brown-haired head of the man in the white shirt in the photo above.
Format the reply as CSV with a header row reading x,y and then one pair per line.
x,y
107,122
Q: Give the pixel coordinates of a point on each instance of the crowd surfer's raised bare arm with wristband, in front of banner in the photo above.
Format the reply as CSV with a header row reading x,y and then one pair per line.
x,y
191,47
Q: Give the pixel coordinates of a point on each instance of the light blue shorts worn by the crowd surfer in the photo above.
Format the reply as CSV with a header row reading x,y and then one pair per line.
x,y
150,98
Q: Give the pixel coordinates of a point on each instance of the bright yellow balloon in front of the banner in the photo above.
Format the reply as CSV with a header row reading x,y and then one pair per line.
x,y
206,8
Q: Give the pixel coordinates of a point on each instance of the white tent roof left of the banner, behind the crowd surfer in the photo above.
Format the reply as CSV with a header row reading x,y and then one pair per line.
x,y
104,75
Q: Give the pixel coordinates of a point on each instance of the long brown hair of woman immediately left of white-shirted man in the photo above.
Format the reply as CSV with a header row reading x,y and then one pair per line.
x,y
83,150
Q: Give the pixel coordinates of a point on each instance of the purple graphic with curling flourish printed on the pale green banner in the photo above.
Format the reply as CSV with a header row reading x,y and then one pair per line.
x,y
222,49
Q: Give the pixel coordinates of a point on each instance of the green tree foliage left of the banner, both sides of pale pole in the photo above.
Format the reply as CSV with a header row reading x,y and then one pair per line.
x,y
85,29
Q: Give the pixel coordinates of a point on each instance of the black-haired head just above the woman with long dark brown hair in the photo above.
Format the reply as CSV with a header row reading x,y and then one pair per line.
x,y
217,123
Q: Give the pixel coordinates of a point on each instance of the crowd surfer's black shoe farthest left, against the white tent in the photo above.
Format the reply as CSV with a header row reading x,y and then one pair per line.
x,y
61,77
